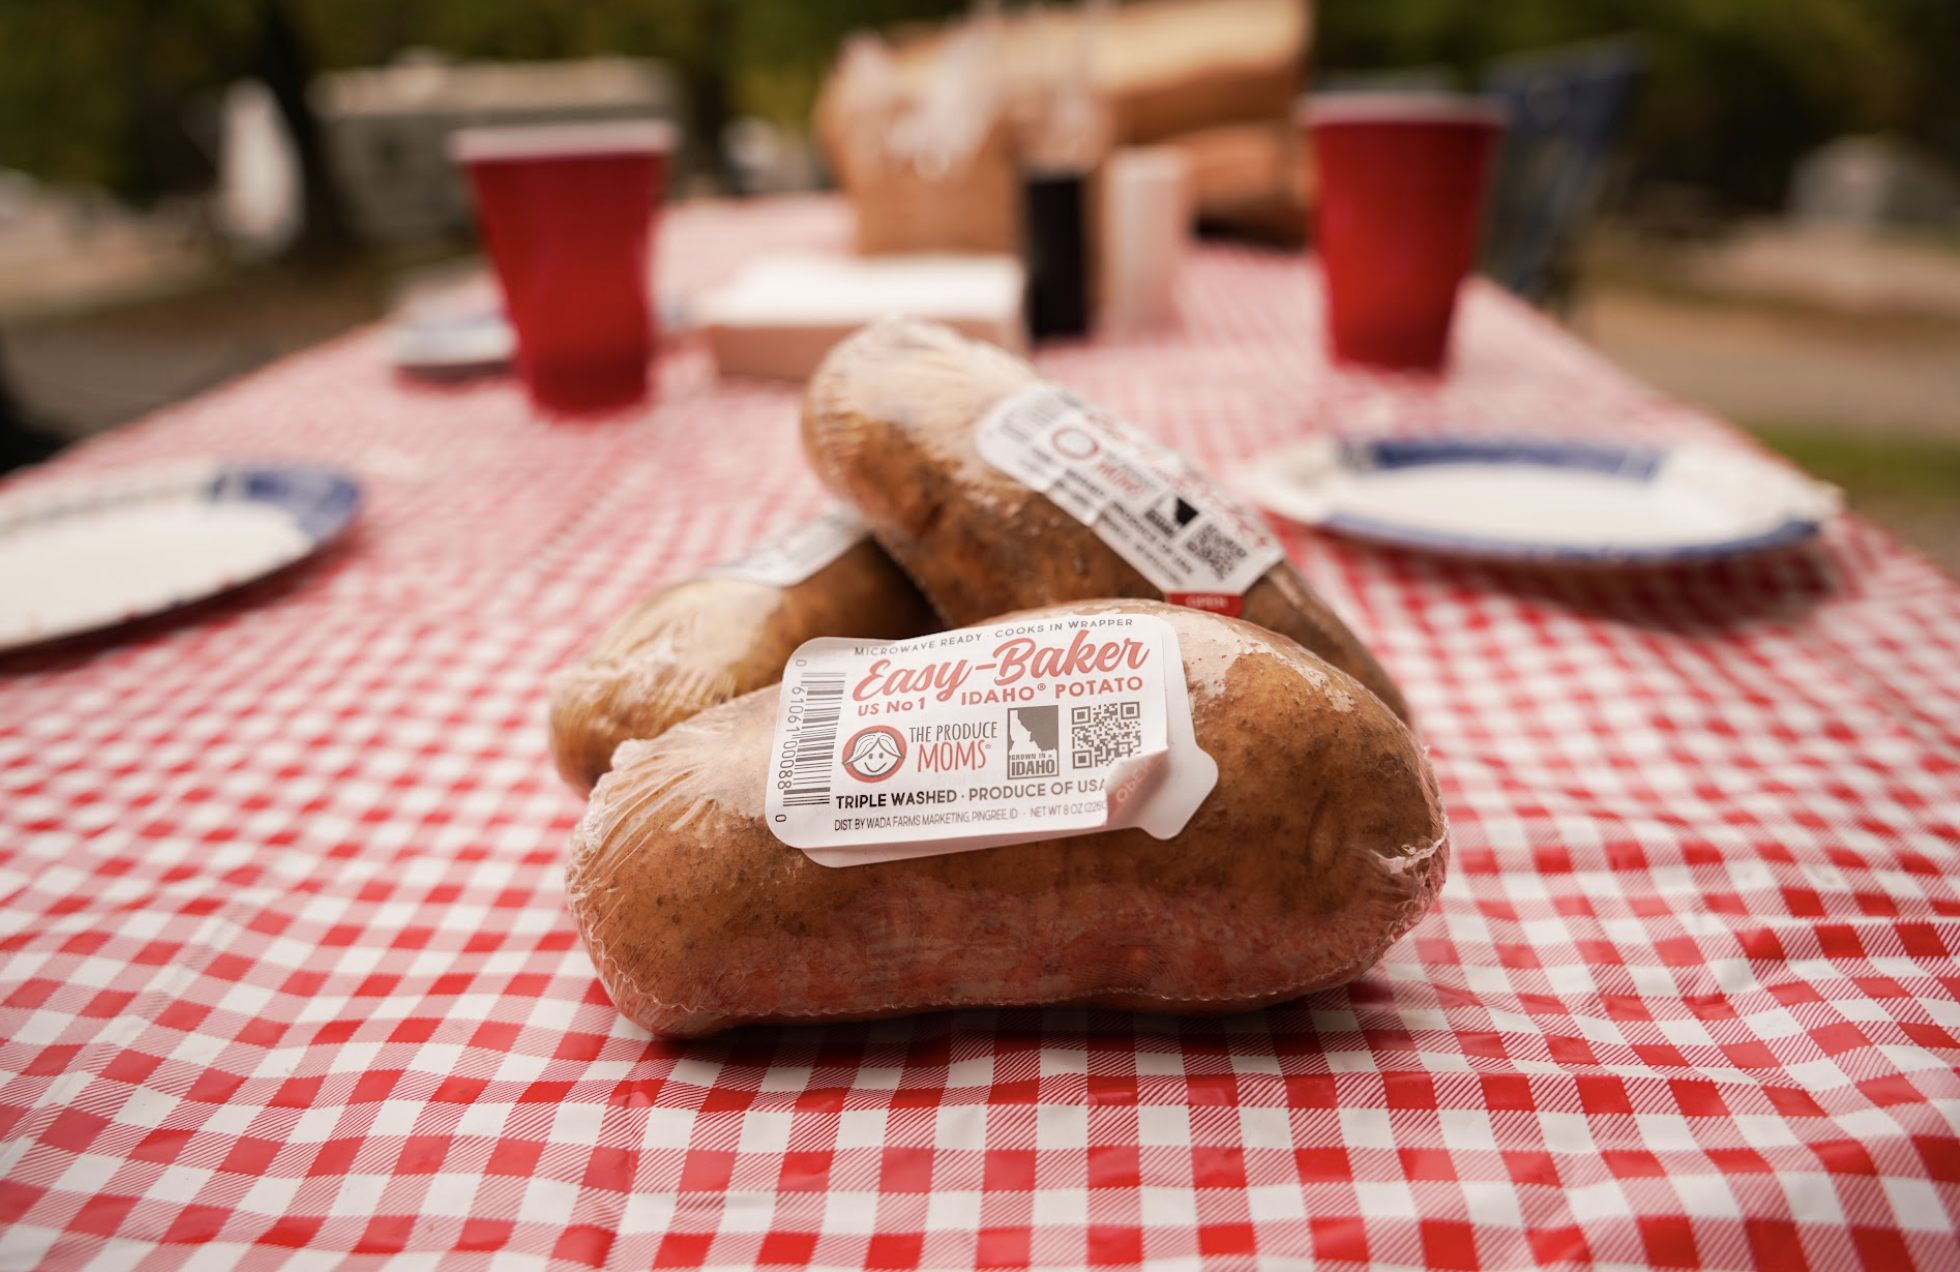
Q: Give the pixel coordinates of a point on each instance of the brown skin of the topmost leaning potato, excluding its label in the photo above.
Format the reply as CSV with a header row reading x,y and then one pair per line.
x,y
889,424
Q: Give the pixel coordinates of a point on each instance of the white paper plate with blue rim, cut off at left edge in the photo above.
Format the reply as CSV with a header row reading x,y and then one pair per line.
x,y
95,556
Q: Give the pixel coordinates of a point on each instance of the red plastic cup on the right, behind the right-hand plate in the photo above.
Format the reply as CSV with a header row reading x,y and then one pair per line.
x,y
1398,215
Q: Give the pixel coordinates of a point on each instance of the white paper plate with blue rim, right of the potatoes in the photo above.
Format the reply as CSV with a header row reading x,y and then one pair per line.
x,y
1542,501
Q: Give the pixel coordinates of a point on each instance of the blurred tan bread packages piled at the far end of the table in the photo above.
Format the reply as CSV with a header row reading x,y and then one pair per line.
x,y
1210,77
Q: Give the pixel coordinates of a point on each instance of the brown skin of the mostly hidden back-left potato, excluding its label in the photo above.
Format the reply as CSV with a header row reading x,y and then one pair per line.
x,y
709,640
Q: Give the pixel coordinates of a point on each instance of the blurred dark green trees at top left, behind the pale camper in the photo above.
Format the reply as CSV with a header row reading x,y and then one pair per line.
x,y
107,91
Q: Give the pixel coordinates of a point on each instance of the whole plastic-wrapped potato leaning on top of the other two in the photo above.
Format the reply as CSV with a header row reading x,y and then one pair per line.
x,y
893,424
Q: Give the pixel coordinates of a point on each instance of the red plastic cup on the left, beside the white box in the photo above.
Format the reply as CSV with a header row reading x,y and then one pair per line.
x,y
567,215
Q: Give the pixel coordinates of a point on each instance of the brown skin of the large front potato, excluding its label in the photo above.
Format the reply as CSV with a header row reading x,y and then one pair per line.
x,y
1322,844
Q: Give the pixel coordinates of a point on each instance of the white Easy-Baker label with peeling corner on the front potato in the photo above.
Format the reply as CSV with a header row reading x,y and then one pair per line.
x,y
983,738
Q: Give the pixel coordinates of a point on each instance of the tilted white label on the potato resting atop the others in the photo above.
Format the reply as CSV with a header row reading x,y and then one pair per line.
x,y
1197,544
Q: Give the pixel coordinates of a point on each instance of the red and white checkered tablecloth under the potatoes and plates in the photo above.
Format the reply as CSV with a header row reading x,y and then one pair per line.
x,y
287,977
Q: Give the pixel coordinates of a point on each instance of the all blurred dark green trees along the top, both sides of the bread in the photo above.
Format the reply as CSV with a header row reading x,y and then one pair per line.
x,y
97,91
